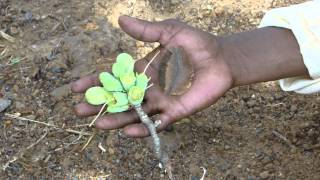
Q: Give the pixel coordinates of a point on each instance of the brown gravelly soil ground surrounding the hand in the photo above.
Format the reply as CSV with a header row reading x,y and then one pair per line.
x,y
253,132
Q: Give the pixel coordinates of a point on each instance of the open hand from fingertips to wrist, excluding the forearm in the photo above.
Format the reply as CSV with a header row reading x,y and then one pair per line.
x,y
212,76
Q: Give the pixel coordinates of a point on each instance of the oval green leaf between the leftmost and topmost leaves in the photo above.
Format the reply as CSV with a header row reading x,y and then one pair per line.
x,y
109,82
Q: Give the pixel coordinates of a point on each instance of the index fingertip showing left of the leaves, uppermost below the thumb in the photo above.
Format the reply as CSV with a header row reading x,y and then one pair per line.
x,y
84,83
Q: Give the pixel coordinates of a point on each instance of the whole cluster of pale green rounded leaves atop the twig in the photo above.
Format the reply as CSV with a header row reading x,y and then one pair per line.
x,y
120,89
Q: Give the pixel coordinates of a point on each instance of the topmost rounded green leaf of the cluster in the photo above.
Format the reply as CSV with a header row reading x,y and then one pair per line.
x,y
123,65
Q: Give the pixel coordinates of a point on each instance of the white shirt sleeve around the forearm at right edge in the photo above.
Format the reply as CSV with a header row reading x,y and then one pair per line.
x,y
304,21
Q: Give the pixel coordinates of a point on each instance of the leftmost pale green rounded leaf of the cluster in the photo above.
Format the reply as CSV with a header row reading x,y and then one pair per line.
x,y
98,95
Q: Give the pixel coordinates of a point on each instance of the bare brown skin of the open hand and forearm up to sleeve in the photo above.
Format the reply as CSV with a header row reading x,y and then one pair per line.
x,y
220,63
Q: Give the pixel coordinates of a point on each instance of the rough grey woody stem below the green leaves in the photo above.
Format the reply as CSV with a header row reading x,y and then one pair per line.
x,y
152,129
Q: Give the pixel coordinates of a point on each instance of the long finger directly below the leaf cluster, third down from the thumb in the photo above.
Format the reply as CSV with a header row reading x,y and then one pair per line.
x,y
119,120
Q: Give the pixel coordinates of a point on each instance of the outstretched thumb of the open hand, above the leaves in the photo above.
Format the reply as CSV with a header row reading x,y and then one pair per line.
x,y
147,31
